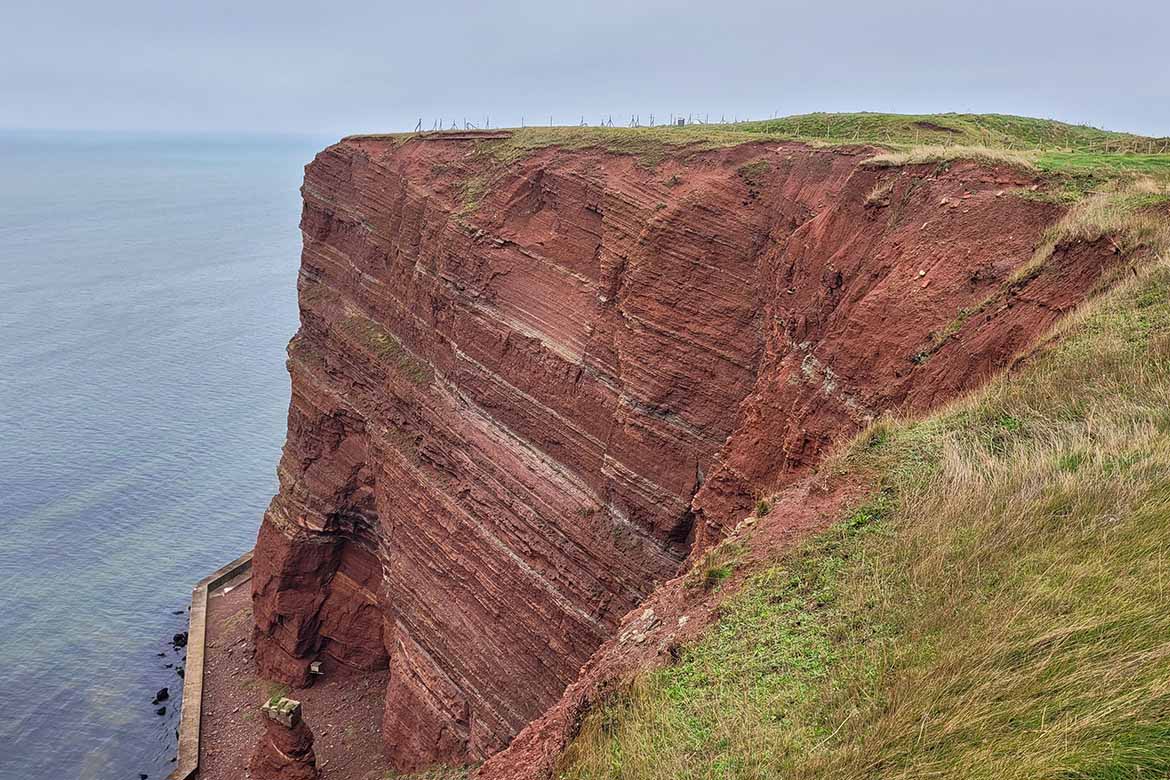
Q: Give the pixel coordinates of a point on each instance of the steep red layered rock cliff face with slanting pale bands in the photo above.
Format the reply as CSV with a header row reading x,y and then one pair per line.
x,y
512,419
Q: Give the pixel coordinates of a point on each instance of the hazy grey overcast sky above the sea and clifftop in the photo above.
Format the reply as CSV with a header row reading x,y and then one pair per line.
x,y
347,67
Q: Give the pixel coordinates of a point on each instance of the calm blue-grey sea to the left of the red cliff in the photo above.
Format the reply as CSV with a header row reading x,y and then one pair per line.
x,y
147,295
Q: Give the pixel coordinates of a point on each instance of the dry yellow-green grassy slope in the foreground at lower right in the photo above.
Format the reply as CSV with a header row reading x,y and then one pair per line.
x,y
999,609
